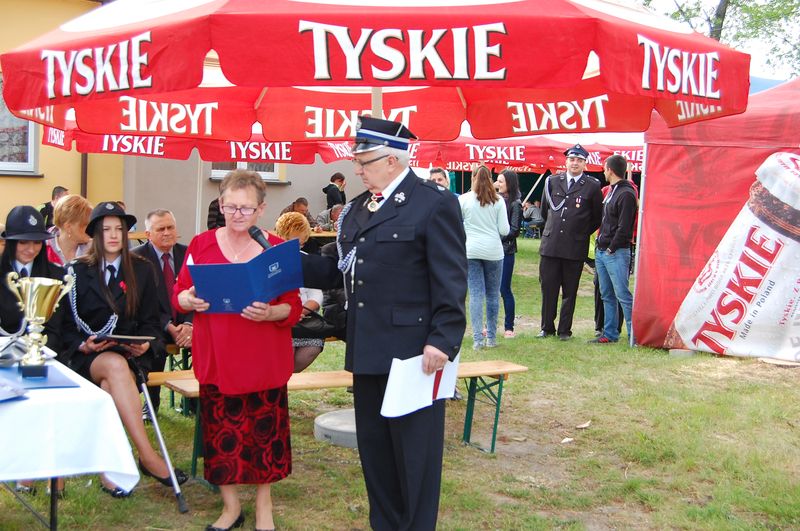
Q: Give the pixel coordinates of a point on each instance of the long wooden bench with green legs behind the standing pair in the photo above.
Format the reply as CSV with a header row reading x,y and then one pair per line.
x,y
485,377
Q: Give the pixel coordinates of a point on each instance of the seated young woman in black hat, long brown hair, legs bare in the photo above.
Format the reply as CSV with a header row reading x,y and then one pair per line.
x,y
115,292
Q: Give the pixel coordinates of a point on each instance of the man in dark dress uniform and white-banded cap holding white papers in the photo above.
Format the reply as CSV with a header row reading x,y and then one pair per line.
x,y
403,261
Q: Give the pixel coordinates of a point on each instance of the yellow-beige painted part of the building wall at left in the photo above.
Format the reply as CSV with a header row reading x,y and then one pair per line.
x,y
22,21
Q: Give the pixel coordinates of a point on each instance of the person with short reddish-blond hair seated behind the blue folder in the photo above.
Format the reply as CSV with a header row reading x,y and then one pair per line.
x,y
294,225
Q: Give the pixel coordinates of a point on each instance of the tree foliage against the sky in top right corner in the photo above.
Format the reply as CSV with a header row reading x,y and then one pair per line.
x,y
776,23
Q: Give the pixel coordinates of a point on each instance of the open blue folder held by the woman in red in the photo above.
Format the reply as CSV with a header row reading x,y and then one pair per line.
x,y
229,288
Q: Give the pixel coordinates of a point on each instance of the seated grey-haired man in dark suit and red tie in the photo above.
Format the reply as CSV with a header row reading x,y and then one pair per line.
x,y
166,255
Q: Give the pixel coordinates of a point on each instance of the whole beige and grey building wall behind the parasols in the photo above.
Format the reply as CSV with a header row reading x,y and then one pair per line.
x,y
185,187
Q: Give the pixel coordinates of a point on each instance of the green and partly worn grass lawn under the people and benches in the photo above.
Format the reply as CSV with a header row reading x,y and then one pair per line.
x,y
682,443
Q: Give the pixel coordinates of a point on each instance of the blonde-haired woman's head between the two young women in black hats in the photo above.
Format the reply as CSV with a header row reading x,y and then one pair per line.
x,y
70,218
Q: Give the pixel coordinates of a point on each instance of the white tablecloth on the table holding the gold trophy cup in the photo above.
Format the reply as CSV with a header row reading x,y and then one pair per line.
x,y
65,432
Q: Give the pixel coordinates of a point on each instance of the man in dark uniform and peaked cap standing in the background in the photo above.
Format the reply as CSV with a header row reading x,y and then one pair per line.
x,y
572,209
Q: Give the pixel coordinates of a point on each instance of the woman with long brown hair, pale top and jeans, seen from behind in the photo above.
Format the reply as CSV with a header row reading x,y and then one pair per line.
x,y
485,222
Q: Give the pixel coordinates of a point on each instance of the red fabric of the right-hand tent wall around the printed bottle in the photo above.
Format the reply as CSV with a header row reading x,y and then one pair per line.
x,y
697,180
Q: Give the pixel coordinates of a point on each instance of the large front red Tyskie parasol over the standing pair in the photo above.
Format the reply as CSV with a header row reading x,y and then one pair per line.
x,y
208,69
